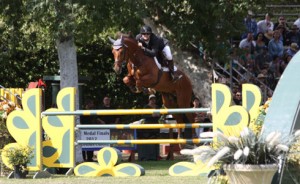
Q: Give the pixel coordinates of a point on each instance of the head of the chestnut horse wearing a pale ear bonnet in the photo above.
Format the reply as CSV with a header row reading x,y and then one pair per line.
x,y
119,52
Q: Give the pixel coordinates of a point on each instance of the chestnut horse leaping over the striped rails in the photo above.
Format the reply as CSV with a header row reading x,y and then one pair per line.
x,y
144,73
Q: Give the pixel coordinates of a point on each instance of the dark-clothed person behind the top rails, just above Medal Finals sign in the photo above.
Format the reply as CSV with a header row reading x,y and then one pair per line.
x,y
108,119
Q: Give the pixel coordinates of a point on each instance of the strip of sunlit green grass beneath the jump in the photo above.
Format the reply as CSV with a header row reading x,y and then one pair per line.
x,y
155,172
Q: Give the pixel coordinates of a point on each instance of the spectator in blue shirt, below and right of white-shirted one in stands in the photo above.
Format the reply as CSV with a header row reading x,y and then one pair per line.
x,y
275,45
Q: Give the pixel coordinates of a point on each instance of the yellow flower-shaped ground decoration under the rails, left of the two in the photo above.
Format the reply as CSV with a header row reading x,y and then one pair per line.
x,y
108,158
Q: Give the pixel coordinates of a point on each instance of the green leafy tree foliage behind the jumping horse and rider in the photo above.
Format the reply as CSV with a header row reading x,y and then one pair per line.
x,y
29,29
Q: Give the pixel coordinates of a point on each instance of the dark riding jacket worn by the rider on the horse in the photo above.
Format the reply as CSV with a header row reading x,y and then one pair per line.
x,y
156,44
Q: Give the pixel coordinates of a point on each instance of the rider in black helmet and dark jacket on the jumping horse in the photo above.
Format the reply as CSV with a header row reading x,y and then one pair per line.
x,y
152,44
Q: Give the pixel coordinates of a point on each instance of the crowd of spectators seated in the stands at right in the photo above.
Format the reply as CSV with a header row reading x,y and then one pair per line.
x,y
263,52
